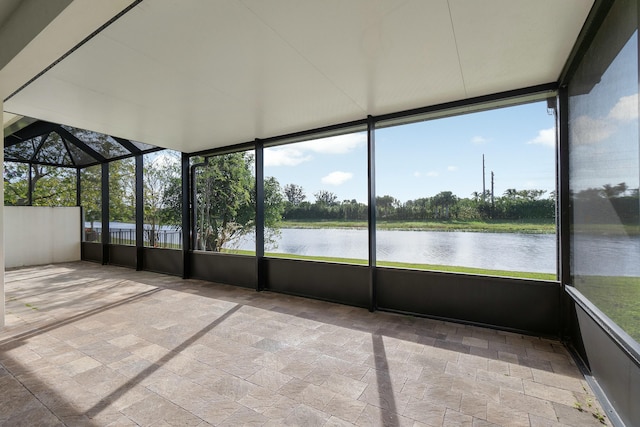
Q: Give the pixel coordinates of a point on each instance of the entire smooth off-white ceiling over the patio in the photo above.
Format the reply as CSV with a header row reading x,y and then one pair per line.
x,y
200,74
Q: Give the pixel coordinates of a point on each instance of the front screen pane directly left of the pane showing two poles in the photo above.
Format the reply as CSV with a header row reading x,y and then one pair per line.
x,y
323,199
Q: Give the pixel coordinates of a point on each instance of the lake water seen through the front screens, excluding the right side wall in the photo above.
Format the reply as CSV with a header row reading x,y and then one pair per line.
x,y
497,251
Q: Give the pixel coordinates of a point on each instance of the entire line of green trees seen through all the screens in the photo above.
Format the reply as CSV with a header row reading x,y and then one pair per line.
x,y
225,199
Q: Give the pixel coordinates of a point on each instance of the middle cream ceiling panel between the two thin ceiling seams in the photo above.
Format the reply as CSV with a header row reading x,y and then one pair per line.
x,y
363,47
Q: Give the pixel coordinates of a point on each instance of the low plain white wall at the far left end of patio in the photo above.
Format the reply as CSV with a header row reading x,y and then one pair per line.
x,y
35,235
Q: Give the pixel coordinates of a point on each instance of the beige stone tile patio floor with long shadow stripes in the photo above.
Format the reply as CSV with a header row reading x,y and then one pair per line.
x,y
93,345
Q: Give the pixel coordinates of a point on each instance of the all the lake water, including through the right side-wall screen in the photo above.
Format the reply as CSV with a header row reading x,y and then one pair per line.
x,y
592,255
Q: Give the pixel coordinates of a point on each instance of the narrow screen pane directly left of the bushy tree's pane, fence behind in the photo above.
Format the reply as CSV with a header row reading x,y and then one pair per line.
x,y
162,200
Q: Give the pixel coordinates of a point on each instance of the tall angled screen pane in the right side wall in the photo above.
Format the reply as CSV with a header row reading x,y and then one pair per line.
x,y
604,169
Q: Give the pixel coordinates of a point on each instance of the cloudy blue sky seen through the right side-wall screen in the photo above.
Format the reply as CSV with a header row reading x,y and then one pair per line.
x,y
604,124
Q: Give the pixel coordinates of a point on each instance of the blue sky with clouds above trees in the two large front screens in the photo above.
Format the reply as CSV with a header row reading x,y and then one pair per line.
x,y
422,159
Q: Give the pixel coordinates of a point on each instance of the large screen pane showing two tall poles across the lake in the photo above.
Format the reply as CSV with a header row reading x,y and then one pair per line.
x,y
472,193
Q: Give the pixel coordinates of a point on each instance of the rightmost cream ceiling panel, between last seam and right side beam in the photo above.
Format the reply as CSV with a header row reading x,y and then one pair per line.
x,y
527,45
